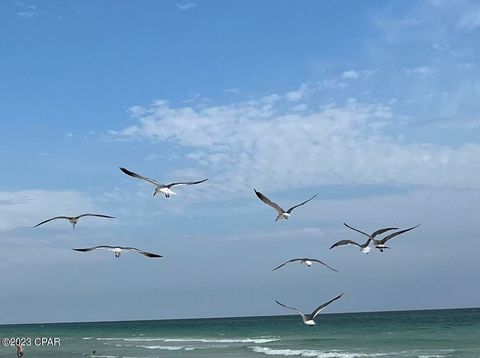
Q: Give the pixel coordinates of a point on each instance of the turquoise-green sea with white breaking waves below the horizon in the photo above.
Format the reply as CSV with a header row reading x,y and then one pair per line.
x,y
407,334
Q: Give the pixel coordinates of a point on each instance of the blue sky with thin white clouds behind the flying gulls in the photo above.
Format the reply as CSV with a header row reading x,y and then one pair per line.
x,y
373,105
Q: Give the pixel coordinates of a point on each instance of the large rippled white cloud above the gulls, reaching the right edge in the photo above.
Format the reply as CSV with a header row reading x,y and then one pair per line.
x,y
265,143
